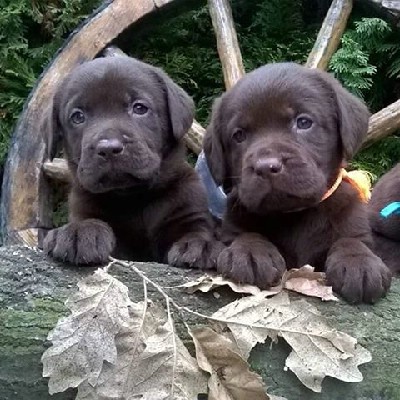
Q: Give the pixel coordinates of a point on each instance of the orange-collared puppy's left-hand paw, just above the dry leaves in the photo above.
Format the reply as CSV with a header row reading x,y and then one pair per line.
x,y
252,259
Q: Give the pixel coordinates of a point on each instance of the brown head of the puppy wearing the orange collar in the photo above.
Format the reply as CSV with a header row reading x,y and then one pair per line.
x,y
281,134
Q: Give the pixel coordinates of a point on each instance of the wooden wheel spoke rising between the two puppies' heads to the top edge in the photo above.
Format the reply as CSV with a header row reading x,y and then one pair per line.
x,y
227,42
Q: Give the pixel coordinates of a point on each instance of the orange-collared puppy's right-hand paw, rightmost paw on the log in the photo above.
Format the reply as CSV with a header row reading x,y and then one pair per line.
x,y
356,273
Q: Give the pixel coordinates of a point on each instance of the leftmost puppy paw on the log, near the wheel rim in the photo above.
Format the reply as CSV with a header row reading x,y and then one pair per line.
x,y
81,243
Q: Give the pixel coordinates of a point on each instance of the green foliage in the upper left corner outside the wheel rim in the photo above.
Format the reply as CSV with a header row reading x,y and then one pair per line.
x,y
30,34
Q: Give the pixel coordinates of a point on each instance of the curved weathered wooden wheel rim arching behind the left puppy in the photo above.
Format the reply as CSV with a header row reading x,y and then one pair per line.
x,y
26,196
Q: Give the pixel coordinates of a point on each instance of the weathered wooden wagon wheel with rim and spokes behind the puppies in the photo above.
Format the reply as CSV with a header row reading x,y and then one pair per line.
x,y
26,205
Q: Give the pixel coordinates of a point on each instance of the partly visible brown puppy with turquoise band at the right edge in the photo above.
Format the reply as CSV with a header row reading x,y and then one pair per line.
x,y
384,211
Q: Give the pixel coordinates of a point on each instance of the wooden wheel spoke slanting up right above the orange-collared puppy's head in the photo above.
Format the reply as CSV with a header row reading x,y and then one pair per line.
x,y
329,36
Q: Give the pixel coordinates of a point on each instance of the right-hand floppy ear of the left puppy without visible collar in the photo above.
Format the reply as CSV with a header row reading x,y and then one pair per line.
x,y
181,108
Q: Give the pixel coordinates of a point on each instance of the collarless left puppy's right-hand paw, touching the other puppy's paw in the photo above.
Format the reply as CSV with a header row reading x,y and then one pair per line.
x,y
194,251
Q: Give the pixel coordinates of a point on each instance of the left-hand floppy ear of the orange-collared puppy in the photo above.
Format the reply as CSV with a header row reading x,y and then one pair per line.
x,y
212,145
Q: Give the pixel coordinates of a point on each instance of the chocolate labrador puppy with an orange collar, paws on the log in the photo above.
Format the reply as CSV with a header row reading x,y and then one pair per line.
x,y
276,143
